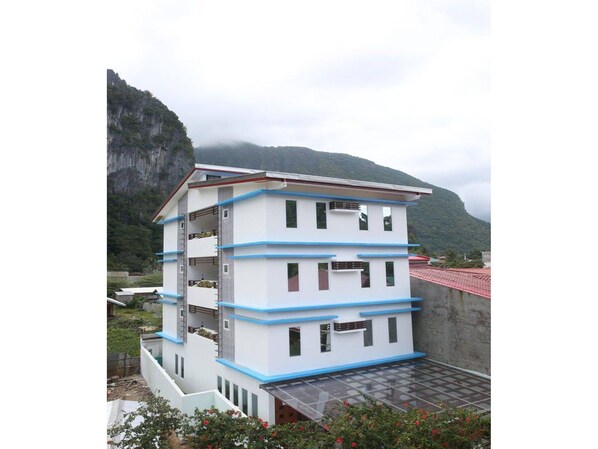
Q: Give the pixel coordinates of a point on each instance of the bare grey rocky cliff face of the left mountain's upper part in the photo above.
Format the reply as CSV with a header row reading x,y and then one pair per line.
x,y
148,146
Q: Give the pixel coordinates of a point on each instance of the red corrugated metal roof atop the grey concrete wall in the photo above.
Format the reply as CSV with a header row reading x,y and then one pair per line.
x,y
471,280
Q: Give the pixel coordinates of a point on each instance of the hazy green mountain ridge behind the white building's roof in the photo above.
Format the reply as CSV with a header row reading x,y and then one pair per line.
x,y
439,222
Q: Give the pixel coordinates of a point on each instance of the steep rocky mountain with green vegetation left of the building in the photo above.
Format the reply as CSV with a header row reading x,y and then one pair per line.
x,y
148,152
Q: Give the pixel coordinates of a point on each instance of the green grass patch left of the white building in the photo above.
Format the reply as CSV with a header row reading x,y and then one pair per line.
x,y
123,332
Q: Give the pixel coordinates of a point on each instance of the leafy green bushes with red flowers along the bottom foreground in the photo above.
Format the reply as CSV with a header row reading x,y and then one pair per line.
x,y
362,426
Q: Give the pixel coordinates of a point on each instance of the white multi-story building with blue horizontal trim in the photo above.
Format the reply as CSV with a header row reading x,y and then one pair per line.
x,y
273,276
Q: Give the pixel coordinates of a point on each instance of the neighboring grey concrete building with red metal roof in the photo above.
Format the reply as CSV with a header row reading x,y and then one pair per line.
x,y
453,325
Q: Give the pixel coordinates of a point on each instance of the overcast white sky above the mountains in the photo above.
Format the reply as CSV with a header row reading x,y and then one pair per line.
x,y
403,83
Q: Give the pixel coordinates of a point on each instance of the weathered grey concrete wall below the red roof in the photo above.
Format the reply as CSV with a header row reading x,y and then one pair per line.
x,y
453,327
